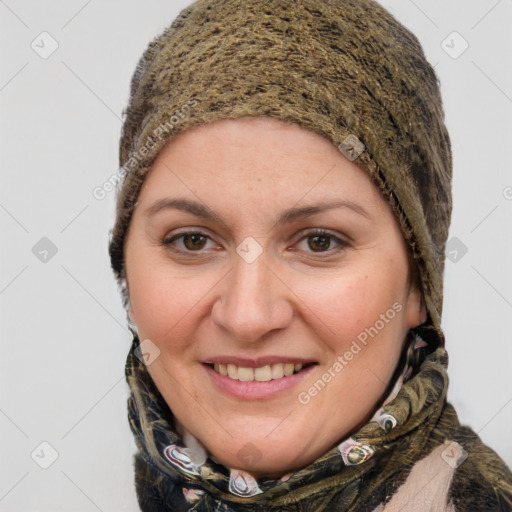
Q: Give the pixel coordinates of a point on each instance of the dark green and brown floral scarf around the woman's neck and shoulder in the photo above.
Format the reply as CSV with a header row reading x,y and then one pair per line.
x,y
376,469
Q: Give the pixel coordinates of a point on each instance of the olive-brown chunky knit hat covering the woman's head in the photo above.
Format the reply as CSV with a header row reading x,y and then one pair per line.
x,y
344,69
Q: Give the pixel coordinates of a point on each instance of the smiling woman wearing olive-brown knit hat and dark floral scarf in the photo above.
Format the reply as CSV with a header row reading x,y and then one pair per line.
x,y
279,245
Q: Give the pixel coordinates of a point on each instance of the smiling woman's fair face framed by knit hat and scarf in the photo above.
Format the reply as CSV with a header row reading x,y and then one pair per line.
x,y
256,243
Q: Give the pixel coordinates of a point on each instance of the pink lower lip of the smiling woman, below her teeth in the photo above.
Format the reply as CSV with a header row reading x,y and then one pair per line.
x,y
256,390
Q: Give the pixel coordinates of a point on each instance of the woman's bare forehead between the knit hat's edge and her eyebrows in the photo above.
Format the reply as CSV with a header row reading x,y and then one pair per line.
x,y
260,156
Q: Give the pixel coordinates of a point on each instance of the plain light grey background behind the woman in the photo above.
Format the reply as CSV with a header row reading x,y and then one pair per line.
x,y
64,338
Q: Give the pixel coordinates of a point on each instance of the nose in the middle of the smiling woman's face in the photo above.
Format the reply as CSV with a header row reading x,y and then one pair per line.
x,y
253,301
